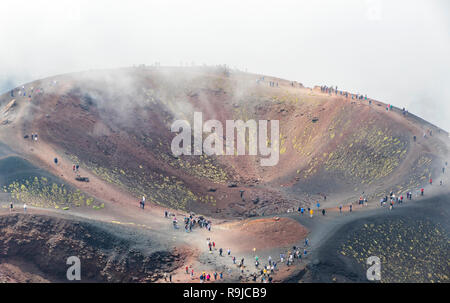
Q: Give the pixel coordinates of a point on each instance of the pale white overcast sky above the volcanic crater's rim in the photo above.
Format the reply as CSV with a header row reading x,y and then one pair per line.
x,y
394,51
